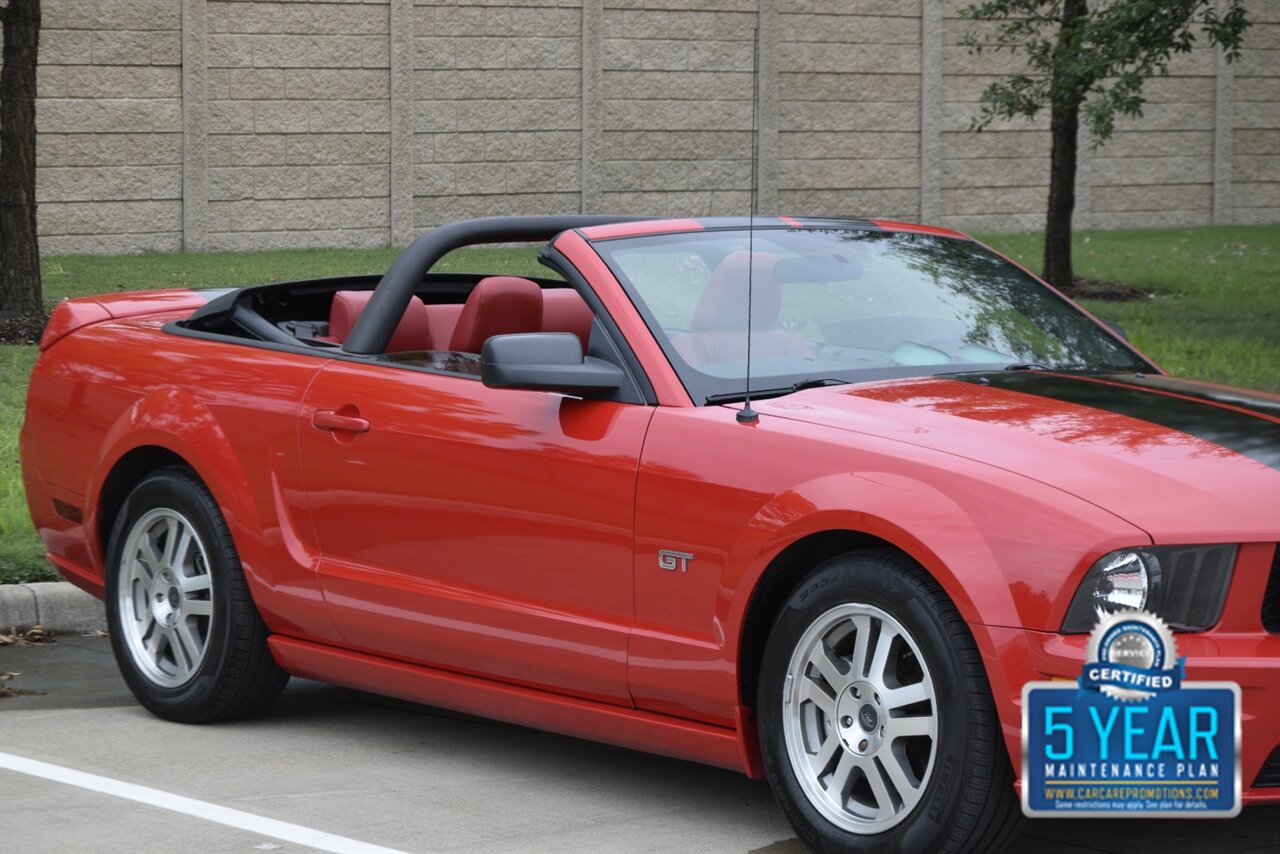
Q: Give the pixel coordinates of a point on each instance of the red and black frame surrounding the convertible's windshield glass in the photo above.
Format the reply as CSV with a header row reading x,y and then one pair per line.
x,y
707,390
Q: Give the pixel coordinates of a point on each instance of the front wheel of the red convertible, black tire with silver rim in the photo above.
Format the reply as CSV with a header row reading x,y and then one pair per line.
x,y
964,798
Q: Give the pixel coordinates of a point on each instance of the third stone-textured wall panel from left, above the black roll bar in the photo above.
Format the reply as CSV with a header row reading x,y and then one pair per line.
x,y
497,109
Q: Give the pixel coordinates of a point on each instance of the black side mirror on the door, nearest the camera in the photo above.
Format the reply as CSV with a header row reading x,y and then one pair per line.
x,y
546,362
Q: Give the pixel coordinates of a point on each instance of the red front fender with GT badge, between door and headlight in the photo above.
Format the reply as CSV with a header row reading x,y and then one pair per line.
x,y
733,500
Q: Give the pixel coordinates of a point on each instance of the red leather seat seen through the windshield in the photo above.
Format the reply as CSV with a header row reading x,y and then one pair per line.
x,y
720,319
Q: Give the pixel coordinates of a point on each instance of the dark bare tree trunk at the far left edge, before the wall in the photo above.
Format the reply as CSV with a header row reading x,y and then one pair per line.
x,y
20,249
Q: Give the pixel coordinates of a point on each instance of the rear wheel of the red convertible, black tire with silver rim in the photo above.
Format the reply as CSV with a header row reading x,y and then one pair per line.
x,y
182,666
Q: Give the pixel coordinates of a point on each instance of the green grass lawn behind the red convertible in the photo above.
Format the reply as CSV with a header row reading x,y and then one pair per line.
x,y
1213,316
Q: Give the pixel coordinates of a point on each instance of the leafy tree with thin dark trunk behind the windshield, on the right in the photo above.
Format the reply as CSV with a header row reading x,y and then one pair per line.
x,y
1092,61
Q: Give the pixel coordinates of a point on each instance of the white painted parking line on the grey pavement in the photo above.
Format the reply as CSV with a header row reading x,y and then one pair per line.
x,y
191,807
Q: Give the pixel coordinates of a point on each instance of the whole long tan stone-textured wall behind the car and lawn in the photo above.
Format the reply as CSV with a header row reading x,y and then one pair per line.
x,y
254,125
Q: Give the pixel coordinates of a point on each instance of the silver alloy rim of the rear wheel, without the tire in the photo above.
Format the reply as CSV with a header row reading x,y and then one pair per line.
x,y
164,597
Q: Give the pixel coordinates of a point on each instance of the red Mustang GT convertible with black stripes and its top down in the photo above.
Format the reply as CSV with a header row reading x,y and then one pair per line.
x,y
807,499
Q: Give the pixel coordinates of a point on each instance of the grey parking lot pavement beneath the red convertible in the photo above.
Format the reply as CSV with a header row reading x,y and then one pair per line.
x,y
344,771
